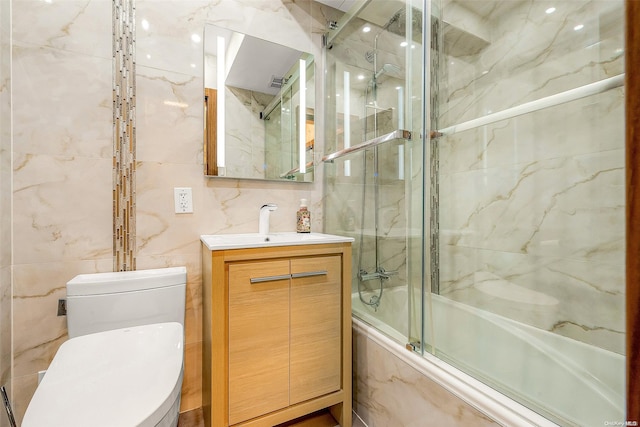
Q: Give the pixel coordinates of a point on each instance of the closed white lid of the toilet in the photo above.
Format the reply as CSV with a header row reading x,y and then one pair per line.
x,y
125,377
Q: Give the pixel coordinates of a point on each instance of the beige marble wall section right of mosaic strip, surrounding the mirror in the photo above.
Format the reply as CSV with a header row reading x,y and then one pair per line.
x,y
170,149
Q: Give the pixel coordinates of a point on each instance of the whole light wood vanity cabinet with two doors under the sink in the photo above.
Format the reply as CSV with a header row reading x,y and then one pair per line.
x,y
277,334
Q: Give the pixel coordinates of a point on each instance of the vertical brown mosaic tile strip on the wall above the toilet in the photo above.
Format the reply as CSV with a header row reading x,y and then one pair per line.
x,y
124,135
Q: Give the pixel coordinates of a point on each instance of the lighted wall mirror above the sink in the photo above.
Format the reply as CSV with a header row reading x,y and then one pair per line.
x,y
259,108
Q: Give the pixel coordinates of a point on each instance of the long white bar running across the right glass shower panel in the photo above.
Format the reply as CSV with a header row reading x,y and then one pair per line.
x,y
539,104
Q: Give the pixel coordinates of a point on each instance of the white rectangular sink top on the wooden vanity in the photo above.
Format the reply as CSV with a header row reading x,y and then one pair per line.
x,y
255,240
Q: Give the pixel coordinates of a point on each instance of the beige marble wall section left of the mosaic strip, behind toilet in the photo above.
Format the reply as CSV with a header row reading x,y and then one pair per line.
x,y
62,169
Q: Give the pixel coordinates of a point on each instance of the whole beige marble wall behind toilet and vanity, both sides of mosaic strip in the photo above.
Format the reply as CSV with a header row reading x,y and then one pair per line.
x,y
62,175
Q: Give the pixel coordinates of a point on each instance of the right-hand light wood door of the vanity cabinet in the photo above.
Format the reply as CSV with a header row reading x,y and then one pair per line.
x,y
315,327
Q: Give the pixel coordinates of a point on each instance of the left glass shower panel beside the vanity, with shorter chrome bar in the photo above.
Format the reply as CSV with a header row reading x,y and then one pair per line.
x,y
373,160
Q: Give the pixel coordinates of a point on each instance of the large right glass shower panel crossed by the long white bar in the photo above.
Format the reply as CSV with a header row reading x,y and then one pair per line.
x,y
530,203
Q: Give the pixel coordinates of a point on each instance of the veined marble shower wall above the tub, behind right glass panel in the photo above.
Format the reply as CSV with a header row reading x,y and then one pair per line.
x,y
536,203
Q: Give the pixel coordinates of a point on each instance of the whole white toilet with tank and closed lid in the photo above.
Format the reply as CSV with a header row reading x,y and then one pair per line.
x,y
123,363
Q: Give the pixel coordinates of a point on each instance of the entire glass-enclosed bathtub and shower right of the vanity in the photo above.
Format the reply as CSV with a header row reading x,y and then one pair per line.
x,y
486,199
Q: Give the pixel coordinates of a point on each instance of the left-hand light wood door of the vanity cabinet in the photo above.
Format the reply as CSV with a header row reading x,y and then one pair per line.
x,y
258,338
